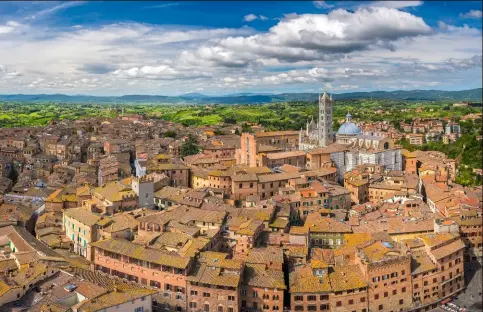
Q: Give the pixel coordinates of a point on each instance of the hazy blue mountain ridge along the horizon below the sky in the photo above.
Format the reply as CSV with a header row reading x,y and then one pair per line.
x,y
247,98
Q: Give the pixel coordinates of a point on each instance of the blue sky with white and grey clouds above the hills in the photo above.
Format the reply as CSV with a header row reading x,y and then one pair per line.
x,y
171,48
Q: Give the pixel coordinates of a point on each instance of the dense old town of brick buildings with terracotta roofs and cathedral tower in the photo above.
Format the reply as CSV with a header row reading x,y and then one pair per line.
x,y
134,214
